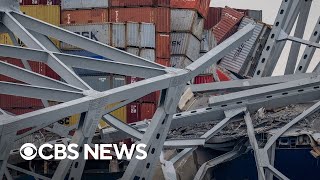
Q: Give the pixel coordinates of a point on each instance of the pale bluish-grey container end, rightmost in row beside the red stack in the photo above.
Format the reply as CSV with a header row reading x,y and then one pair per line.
x,y
148,35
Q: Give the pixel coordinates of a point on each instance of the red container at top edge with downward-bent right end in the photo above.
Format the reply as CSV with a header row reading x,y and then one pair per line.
x,y
202,6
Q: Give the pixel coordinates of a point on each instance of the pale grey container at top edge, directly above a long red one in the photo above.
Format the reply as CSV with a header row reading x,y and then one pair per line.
x,y
83,4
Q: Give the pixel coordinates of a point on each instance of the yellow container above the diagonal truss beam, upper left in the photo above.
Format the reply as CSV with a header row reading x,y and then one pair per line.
x,y
49,14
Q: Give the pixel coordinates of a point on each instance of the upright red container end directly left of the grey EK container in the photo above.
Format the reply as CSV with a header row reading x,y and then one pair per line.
x,y
163,45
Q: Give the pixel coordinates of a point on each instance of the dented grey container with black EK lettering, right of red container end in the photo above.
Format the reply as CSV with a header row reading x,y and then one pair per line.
x,y
185,44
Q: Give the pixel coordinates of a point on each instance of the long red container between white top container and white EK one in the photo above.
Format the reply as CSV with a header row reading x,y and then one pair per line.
x,y
84,16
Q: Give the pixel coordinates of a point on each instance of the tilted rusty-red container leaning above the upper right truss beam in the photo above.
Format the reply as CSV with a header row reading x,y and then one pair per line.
x,y
230,19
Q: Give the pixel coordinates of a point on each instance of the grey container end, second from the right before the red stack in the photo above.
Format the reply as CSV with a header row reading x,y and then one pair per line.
x,y
133,34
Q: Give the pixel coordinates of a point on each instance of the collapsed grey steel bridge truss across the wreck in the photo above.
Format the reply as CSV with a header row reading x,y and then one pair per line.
x,y
79,97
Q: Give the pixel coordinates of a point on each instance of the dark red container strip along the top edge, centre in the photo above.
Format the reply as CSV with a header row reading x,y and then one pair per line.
x,y
135,3
